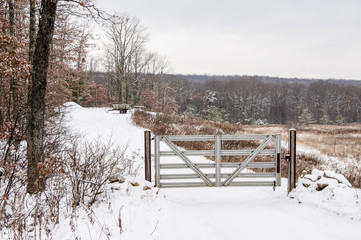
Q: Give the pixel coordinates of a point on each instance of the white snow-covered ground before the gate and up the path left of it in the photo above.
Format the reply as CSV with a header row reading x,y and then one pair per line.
x,y
203,213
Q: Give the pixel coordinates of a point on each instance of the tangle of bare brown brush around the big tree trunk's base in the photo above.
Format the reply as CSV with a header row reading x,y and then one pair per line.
x,y
75,173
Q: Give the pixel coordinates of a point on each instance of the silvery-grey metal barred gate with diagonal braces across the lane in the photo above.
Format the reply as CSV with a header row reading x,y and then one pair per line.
x,y
190,173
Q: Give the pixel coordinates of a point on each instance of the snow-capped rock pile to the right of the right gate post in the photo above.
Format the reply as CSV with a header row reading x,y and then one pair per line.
x,y
329,191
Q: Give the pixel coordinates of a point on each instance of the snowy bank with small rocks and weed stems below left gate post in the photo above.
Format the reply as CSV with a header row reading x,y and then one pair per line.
x,y
131,211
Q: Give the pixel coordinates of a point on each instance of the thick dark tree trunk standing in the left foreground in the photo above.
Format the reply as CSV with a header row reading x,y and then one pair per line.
x,y
36,100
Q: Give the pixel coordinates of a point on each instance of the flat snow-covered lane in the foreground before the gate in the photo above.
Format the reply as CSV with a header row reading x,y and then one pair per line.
x,y
249,213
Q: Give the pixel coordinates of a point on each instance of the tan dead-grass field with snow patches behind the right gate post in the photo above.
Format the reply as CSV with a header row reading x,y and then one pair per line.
x,y
324,147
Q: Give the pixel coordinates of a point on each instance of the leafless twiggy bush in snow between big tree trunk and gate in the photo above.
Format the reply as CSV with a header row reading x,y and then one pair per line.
x,y
88,167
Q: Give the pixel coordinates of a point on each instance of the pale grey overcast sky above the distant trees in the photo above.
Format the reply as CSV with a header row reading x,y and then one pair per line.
x,y
284,38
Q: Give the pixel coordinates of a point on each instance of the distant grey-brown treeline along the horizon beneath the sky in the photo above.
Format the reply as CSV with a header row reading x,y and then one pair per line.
x,y
260,100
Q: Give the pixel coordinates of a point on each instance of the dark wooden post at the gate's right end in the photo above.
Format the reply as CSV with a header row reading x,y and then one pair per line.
x,y
292,160
